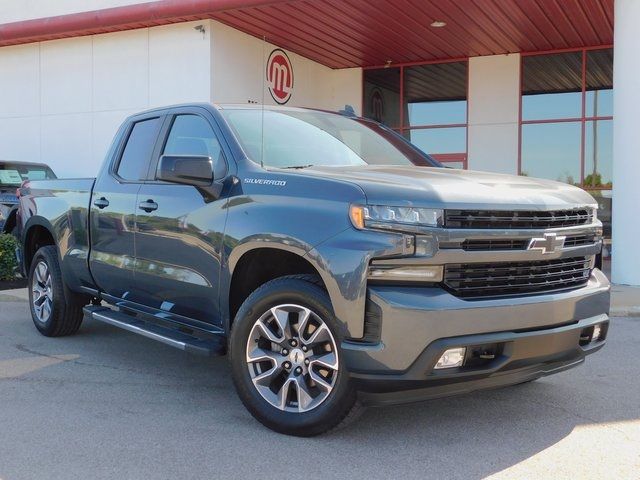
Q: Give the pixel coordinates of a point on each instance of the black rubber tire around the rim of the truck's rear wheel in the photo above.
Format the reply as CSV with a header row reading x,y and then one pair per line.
x,y
66,312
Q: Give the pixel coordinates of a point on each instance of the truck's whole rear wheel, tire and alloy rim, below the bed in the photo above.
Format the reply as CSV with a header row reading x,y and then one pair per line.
x,y
55,310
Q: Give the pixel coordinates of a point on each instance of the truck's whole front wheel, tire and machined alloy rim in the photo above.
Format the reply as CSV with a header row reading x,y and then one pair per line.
x,y
286,359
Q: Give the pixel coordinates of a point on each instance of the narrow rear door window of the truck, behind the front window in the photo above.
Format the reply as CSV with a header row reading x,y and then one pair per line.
x,y
136,156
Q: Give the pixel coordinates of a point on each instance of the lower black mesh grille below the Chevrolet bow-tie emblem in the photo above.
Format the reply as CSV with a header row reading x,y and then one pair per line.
x,y
484,280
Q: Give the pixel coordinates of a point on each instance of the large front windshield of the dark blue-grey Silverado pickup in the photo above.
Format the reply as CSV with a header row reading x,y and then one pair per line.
x,y
305,138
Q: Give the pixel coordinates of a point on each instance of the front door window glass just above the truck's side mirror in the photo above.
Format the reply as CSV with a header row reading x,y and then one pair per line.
x,y
192,135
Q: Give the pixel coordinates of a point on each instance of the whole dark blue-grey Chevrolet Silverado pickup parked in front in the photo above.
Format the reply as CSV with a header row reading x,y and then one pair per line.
x,y
336,264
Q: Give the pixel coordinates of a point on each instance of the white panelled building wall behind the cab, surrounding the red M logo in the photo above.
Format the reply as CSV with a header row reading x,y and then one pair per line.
x,y
61,101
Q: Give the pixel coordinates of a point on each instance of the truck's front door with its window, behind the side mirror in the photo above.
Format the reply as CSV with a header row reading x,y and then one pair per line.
x,y
179,235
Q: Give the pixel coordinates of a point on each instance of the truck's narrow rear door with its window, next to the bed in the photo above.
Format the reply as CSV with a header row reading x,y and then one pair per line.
x,y
114,208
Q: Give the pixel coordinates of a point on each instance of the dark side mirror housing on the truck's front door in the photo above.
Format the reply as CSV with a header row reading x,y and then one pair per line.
x,y
196,170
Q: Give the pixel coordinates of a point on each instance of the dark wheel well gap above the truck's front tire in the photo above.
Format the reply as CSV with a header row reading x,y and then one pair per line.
x,y
259,266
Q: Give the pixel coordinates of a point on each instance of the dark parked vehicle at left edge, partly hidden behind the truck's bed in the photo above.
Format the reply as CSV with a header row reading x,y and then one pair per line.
x,y
12,174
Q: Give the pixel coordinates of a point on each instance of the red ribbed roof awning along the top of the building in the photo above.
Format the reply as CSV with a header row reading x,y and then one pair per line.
x,y
352,33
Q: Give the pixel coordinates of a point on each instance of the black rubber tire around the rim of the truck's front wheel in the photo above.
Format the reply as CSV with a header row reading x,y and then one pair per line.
x,y
340,402
